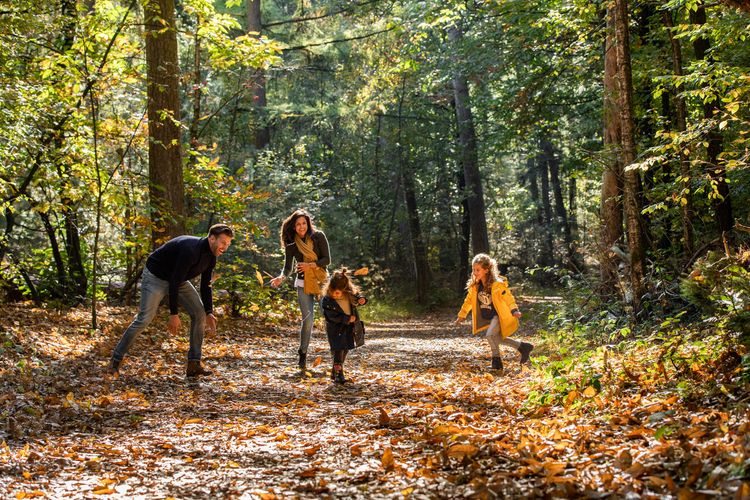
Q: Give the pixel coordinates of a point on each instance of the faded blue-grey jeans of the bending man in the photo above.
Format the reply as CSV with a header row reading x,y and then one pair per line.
x,y
153,290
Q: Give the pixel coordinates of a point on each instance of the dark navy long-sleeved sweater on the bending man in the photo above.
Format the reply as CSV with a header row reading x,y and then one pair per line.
x,y
181,259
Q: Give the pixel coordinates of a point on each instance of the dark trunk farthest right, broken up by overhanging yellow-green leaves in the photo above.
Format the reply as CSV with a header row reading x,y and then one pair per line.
x,y
722,204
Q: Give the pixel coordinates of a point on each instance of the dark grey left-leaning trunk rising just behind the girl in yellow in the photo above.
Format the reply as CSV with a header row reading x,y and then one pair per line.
x,y
469,155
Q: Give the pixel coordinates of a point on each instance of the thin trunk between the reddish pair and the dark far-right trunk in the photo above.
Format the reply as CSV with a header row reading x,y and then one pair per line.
x,y
686,196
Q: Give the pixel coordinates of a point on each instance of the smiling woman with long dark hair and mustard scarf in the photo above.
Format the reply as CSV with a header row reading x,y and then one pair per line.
x,y
308,247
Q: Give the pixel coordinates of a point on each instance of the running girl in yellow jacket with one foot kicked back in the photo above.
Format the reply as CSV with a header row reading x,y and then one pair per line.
x,y
493,309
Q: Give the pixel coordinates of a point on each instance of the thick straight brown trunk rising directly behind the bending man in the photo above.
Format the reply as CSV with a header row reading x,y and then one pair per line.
x,y
166,188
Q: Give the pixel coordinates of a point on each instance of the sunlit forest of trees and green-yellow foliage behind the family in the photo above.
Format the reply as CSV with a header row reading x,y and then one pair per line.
x,y
598,150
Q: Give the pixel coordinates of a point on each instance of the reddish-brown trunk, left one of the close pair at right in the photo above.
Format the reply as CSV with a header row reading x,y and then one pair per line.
x,y
611,198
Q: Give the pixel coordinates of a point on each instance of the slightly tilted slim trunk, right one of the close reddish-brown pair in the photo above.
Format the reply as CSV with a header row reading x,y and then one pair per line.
x,y
632,183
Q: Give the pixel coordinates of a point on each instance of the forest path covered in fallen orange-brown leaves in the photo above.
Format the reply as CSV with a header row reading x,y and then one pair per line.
x,y
422,416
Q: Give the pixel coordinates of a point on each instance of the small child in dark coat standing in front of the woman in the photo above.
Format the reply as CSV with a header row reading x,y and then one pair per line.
x,y
339,304
